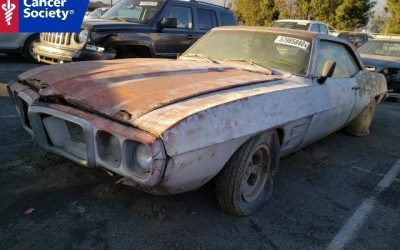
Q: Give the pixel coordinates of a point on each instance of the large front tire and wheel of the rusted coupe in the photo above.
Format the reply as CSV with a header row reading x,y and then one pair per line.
x,y
242,188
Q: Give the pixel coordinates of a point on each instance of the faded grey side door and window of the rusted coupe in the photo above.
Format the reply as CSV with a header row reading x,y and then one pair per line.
x,y
336,97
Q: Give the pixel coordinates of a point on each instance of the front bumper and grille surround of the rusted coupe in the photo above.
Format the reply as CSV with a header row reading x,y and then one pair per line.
x,y
50,124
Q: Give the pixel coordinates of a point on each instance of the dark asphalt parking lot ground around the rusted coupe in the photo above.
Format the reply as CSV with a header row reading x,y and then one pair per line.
x,y
47,202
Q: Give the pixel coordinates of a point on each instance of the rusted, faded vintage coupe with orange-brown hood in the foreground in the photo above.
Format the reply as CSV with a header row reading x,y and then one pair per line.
x,y
229,107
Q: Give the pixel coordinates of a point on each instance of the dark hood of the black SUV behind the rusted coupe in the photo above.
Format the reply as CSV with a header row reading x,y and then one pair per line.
x,y
102,25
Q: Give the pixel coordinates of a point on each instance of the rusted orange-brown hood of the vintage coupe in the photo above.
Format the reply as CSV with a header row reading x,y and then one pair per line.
x,y
128,89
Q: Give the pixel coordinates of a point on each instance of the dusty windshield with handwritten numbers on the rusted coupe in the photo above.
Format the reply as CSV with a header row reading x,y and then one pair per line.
x,y
256,49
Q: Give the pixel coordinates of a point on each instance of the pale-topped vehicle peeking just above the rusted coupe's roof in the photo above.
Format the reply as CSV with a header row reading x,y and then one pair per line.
x,y
313,26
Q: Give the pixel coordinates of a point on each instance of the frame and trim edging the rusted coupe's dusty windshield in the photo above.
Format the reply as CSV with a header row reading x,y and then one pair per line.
x,y
307,73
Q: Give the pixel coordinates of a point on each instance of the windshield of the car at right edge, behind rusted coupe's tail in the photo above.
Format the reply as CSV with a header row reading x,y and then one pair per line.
x,y
382,48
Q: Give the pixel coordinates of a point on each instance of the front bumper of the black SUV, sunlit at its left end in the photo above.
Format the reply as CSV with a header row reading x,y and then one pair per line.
x,y
49,54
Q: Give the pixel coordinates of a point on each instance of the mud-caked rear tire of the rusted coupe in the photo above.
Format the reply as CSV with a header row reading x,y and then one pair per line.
x,y
360,125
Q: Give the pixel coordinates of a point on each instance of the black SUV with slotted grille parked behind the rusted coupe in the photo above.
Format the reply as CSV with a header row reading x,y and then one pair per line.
x,y
135,28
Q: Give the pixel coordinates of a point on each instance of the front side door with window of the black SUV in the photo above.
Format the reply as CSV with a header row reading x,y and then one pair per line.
x,y
170,42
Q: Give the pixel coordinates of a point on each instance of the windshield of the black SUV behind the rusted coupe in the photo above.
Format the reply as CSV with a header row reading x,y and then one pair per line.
x,y
133,11
